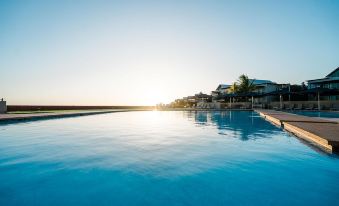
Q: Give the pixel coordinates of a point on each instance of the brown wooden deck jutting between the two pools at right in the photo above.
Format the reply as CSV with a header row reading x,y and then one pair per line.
x,y
322,132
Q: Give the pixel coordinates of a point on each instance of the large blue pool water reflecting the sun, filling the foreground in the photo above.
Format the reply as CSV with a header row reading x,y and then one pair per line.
x,y
162,158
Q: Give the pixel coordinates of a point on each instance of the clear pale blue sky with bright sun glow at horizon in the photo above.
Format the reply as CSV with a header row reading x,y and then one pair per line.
x,y
145,52
